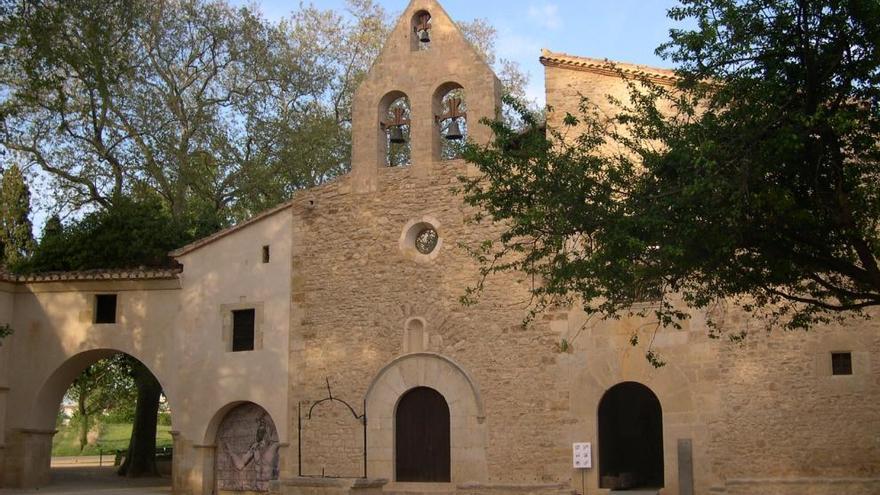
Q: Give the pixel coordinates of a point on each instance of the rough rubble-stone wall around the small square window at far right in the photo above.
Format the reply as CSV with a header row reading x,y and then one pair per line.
x,y
800,422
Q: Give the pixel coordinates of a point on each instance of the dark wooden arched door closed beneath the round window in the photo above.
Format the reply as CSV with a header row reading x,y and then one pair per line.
x,y
422,437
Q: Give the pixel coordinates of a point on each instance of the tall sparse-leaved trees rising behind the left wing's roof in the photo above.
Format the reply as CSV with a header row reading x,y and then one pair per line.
x,y
213,108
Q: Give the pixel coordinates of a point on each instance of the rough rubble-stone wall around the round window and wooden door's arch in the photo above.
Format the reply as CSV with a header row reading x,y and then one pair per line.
x,y
355,290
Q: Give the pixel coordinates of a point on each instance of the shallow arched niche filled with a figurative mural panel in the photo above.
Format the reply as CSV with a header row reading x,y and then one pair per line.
x,y
248,450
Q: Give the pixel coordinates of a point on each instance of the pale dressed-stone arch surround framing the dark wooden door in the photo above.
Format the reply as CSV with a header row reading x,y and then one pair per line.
x,y
466,410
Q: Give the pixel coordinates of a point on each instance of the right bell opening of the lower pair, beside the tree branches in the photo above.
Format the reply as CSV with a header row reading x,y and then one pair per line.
x,y
450,115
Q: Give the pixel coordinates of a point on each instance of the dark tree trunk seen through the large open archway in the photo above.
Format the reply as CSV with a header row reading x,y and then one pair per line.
x,y
141,457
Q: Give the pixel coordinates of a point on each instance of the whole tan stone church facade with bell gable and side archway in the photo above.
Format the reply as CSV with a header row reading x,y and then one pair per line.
x,y
321,347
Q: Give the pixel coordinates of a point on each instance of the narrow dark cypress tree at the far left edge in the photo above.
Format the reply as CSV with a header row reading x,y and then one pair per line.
x,y
16,237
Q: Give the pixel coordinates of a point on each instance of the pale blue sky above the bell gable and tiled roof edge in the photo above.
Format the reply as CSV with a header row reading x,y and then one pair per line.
x,y
622,30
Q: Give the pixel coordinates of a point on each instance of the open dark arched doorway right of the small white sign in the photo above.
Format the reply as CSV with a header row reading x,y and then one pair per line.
x,y
630,438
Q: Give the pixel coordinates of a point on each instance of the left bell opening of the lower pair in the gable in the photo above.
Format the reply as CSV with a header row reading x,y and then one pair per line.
x,y
395,125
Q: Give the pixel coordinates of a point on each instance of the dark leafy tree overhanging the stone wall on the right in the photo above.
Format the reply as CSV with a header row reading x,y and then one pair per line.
x,y
755,180
